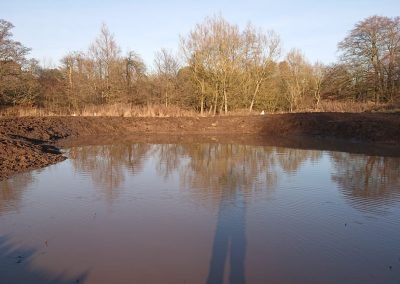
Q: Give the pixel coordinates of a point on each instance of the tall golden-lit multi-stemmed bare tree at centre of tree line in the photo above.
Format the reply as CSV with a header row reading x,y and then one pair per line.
x,y
214,50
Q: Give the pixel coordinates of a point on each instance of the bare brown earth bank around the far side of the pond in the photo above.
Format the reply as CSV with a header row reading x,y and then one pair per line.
x,y
26,143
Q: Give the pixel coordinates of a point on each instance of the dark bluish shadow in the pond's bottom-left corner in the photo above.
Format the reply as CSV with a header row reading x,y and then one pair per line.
x,y
16,268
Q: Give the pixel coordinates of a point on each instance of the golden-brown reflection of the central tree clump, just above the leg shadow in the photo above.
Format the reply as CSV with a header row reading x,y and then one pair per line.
x,y
219,168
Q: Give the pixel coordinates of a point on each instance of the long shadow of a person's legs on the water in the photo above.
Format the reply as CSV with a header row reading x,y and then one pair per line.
x,y
229,240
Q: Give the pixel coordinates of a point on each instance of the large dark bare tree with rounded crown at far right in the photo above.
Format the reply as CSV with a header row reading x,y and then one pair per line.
x,y
373,47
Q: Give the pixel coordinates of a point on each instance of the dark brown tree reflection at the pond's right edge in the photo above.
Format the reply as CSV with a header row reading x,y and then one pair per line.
x,y
367,178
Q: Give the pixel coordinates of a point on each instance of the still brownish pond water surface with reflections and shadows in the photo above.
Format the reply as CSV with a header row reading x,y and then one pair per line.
x,y
202,213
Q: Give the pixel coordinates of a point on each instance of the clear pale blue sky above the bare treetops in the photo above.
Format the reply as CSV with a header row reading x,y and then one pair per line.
x,y
54,27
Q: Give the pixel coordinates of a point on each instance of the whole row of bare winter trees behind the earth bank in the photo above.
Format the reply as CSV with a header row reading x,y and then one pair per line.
x,y
219,68
